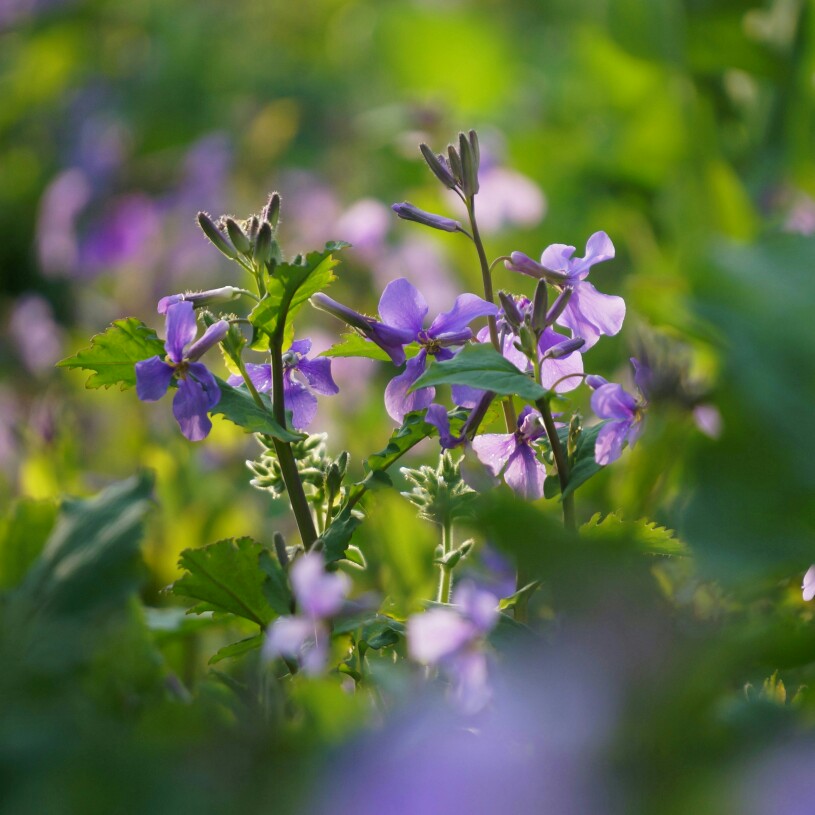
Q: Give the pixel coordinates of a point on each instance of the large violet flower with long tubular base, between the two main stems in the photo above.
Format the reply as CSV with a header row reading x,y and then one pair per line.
x,y
402,311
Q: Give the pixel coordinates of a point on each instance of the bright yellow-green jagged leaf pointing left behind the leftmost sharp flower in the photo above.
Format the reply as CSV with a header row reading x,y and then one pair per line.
x,y
112,355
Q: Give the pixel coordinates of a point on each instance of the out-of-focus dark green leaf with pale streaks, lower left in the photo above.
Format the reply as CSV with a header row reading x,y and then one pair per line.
x,y
91,560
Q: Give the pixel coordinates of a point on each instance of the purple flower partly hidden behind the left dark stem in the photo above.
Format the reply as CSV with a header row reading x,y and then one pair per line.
x,y
297,396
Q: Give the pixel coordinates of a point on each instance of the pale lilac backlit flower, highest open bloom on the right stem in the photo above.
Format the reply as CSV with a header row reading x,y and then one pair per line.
x,y
588,313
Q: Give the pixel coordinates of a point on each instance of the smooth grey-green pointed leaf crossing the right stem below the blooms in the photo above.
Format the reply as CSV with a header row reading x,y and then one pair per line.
x,y
481,366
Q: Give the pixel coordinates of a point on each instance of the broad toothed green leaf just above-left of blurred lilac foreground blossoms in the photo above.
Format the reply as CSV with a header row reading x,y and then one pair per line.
x,y
226,576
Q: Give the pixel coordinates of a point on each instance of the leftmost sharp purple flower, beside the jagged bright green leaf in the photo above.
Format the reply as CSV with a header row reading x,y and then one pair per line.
x,y
198,392
